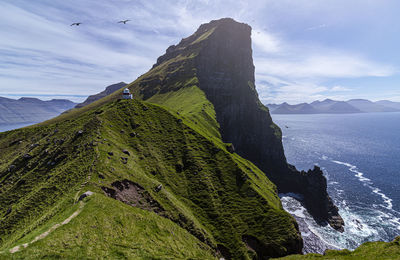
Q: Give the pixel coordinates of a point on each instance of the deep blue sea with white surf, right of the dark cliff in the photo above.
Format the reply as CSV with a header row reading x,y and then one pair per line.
x,y
360,156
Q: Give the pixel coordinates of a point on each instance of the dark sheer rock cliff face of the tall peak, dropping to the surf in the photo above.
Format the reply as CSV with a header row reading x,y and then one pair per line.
x,y
224,67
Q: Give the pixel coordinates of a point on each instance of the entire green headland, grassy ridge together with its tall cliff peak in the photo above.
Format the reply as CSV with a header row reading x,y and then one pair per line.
x,y
189,169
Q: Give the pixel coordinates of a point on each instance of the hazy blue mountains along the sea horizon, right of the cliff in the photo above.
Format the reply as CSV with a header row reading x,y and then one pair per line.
x,y
329,106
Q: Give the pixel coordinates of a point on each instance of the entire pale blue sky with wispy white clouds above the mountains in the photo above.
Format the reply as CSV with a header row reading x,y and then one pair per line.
x,y
303,50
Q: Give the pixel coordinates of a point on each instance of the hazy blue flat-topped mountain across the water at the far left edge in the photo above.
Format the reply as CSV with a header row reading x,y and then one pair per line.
x,y
31,110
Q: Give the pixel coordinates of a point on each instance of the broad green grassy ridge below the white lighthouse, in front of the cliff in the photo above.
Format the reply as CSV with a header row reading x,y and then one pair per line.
x,y
223,201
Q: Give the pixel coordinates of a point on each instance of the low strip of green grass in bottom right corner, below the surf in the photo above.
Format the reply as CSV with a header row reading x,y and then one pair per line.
x,y
367,251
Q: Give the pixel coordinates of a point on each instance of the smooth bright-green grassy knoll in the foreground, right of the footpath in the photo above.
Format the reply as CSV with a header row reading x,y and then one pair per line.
x,y
109,229
